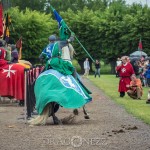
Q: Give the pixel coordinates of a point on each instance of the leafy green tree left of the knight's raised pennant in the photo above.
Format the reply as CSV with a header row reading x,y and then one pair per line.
x,y
34,27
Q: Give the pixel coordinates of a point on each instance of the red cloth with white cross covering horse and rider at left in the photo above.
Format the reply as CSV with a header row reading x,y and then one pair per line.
x,y
11,78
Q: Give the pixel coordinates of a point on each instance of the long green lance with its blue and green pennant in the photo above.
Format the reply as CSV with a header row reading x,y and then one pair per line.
x,y
65,31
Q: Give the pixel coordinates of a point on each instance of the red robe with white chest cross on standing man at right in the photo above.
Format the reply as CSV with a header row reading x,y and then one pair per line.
x,y
125,72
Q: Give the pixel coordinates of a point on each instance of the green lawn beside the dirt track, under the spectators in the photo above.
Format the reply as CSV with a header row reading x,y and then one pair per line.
x,y
139,108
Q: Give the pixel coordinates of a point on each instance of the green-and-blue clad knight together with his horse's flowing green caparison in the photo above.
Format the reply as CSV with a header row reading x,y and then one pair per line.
x,y
58,78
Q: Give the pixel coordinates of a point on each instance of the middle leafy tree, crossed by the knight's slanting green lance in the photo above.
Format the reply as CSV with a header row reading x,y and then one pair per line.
x,y
84,24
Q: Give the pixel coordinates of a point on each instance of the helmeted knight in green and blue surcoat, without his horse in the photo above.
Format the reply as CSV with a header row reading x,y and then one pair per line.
x,y
52,56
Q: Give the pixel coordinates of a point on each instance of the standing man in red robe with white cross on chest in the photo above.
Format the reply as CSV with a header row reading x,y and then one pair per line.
x,y
125,71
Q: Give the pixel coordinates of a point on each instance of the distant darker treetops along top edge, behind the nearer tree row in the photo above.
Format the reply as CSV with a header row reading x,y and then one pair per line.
x,y
61,5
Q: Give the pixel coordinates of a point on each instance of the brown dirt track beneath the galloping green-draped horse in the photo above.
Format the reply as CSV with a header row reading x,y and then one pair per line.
x,y
109,128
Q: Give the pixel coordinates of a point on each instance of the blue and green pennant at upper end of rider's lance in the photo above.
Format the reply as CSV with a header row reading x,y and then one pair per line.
x,y
63,29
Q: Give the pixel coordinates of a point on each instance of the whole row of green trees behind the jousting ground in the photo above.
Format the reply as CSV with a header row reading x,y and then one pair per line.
x,y
106,29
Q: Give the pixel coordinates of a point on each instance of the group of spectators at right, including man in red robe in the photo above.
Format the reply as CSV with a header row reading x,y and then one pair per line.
x,y
134,74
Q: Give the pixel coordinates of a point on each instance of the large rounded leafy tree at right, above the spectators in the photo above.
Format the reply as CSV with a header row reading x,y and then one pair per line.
x,y
120,28
